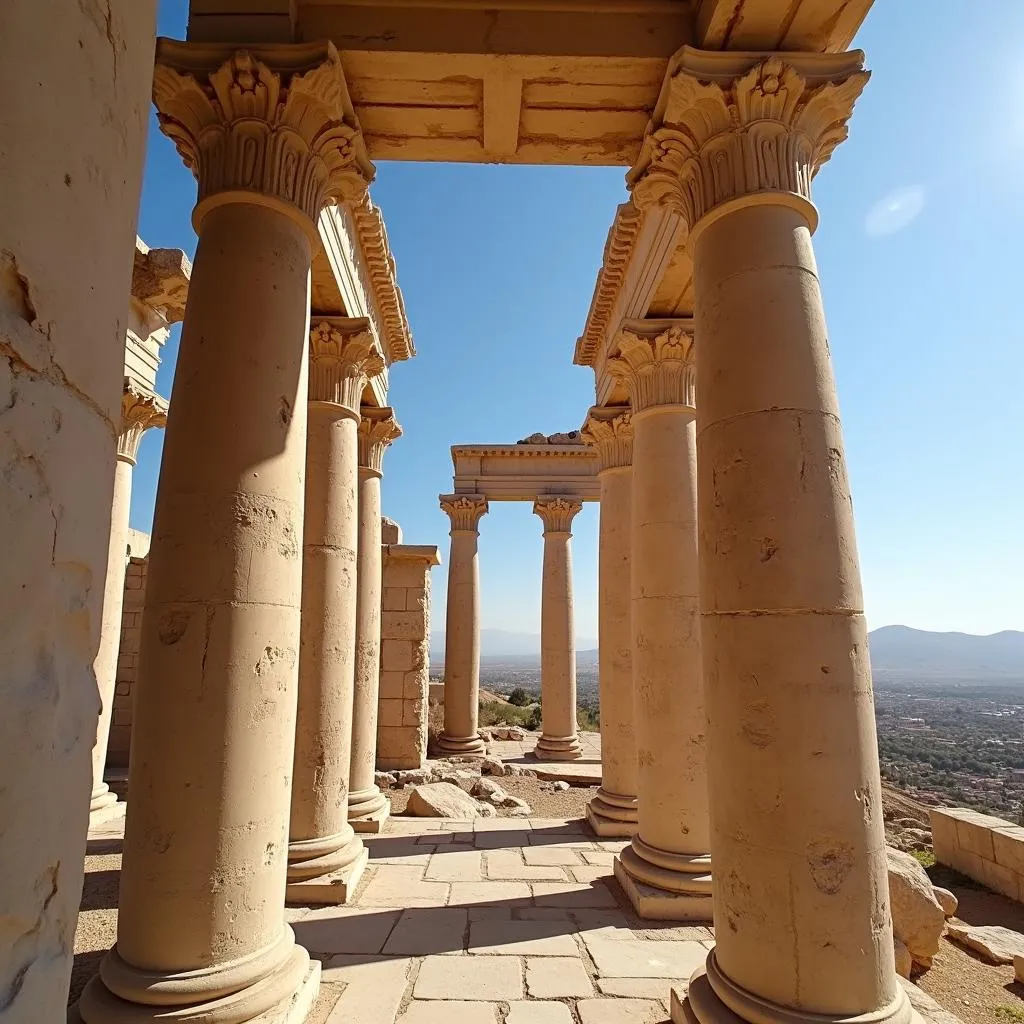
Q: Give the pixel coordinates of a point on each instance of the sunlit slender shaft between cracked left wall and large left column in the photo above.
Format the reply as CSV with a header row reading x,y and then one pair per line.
x,y
110,631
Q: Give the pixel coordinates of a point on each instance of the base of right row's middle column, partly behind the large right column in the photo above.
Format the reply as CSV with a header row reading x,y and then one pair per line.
x,y
660,893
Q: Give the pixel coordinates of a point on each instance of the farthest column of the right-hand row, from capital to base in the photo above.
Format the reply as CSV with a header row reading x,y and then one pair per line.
x,y
613,812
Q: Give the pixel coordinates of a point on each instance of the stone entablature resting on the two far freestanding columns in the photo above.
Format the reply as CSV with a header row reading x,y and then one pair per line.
x,y
526,472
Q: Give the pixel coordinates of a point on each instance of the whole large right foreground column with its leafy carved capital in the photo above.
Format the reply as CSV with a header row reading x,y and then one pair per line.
x,y
804,927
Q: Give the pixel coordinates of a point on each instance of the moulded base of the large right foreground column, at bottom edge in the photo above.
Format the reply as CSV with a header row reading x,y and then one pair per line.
x,y
712,999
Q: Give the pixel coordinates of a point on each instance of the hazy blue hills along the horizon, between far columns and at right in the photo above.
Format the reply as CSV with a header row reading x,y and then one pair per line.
x,y
899,654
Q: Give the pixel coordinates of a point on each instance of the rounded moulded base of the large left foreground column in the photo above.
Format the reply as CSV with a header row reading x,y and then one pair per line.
x,y
285,997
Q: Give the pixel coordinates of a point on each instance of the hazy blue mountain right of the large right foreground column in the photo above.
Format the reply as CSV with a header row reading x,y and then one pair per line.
x,y
900,653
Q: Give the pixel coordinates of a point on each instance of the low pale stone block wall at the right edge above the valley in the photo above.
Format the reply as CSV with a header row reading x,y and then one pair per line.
x,y
988,849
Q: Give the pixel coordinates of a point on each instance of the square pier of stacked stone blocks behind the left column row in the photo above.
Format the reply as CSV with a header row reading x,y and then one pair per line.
x,y
402,726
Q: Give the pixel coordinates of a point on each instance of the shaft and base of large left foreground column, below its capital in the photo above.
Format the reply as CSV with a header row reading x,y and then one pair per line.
x,y
203,882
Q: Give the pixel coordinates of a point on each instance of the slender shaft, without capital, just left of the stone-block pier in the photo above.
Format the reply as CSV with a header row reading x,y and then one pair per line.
x,y
365,797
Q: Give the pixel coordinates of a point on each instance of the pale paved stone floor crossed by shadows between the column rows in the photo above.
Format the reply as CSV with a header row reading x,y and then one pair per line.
x,y
499,921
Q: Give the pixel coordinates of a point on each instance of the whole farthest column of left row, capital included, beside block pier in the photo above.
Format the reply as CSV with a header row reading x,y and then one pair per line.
x,y
368,807
